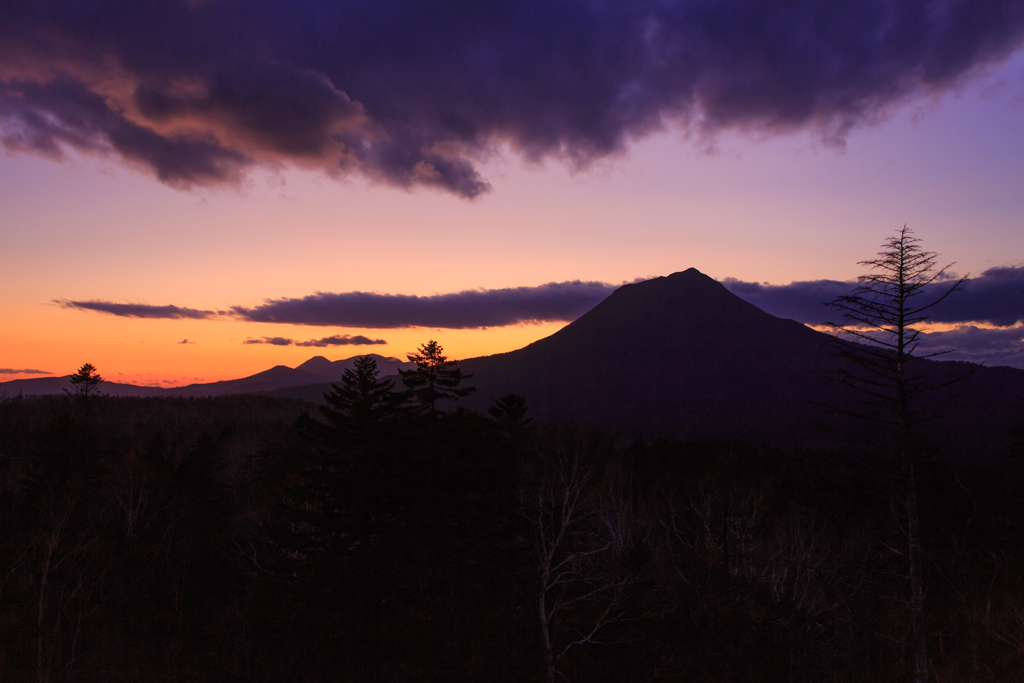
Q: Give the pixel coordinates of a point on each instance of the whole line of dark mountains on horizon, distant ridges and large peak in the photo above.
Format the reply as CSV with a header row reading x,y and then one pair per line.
x,y
679,356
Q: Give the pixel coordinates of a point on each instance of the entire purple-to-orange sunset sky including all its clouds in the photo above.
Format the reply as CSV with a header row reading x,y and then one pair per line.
x,y
200,191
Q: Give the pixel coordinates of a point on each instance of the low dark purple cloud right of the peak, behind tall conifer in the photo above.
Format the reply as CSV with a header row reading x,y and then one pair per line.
x,y
996,297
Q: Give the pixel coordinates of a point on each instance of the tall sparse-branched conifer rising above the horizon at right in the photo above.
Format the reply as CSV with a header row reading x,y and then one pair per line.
x,y
880,338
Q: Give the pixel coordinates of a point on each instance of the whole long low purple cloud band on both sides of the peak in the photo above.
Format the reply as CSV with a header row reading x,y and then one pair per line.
x,y
996,297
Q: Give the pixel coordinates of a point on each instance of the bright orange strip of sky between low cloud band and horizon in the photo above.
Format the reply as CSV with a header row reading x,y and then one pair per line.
x,y
150,353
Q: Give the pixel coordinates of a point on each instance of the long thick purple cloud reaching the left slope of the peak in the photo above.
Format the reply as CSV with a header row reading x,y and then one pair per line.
x,y
471,309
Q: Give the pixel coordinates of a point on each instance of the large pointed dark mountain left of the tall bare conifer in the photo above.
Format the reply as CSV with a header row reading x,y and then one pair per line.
x,y
678,356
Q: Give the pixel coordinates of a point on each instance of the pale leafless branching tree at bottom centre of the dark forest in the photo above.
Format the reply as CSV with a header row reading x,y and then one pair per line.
x,y
583,590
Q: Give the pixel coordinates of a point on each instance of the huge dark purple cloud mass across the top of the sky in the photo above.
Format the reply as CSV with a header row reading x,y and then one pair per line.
x,y
415,94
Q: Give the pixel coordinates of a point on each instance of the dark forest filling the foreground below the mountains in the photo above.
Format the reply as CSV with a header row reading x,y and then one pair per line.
x,y
237,539
